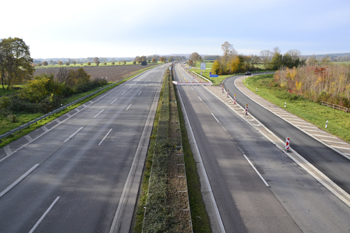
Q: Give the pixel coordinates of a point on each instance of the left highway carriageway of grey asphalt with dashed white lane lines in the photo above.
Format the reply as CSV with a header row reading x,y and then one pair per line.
x,y
83,173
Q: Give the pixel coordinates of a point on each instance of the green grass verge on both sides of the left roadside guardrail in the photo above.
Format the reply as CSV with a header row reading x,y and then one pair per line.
x,y
23,118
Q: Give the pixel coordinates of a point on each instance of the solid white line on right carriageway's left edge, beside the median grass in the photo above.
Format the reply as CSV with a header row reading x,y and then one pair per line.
x,y
218,216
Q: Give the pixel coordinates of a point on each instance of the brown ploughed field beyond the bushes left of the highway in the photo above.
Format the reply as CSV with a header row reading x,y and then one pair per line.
x,y
113,73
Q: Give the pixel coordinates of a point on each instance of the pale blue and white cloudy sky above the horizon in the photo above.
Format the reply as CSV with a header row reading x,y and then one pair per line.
x,y
137,27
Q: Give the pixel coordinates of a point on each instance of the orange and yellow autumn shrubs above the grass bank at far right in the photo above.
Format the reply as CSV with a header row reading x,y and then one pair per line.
x,y
318,83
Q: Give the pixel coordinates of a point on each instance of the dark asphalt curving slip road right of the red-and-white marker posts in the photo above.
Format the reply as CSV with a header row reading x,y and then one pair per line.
x,y
329,162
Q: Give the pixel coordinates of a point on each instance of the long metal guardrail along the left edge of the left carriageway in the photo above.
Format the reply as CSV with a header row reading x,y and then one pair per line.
x,y
58,110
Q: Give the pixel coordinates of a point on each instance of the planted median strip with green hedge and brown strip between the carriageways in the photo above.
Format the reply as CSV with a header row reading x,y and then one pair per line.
x,y
163,204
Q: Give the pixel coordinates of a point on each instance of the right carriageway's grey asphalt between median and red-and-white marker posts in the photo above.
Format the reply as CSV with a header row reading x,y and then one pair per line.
x,y
278,196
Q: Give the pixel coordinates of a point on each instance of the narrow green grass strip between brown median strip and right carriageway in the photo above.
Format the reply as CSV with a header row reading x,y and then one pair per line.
x,y
200,218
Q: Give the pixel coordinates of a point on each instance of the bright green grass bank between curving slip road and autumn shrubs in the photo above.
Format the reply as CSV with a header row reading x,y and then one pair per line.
x,y
338,121
